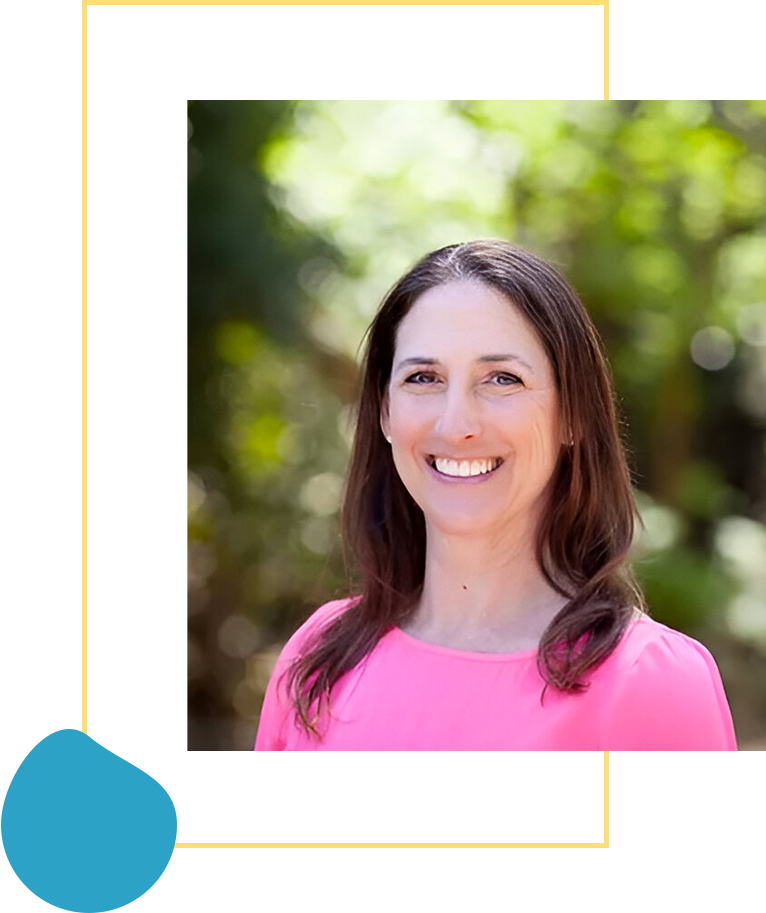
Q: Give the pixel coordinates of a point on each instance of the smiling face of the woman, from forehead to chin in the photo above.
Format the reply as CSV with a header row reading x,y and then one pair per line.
x,y
472,412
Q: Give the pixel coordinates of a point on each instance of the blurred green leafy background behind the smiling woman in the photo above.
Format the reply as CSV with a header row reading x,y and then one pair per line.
x,y
302,214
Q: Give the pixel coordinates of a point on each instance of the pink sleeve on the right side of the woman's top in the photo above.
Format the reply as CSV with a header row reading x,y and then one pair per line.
x,y
671,698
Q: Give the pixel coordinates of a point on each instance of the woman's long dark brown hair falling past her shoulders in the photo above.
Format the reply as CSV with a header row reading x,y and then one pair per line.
x,y
585,534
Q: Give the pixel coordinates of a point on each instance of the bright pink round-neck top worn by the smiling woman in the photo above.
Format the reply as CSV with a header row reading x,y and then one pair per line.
x,y
658,691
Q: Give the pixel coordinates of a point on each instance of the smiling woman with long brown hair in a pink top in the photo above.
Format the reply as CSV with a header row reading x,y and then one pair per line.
x,y
489,506
